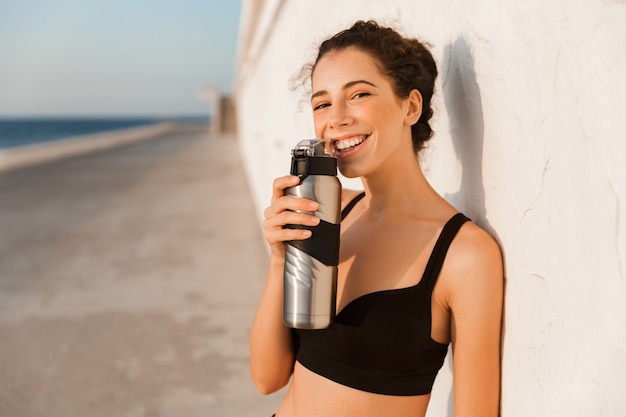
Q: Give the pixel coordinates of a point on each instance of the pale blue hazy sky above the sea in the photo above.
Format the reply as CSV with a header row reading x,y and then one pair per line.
x,y
115,57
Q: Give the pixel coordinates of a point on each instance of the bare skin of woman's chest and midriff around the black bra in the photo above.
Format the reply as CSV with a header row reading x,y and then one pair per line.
x,y
374,256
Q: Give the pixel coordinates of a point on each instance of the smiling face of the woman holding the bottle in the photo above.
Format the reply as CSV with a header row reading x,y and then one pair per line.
x,y
354,107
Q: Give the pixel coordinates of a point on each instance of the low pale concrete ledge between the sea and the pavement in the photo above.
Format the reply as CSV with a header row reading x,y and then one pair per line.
x,y
28,155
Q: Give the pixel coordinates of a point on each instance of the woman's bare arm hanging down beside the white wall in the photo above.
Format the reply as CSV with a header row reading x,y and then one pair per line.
x,y
475,300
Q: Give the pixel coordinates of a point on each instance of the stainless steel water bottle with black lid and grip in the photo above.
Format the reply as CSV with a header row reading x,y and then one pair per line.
x,y
310,277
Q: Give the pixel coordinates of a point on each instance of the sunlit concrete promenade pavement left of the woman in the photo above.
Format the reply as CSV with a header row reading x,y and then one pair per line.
x,y
128,282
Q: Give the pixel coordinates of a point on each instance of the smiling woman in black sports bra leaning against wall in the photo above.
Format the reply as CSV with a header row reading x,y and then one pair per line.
x,y
414,274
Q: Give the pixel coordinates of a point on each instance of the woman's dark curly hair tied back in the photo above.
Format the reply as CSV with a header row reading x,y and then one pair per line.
x,y
406,62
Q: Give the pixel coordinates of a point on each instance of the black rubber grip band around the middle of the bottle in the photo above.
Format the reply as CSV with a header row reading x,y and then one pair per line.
x,y
323,244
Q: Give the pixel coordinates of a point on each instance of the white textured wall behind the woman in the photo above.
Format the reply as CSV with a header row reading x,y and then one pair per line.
x,y
529,143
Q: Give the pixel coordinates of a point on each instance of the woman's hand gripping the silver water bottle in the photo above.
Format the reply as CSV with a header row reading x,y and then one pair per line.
x,y
287,210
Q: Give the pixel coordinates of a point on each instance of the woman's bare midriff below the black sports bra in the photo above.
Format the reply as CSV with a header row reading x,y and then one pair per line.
x,y
311,395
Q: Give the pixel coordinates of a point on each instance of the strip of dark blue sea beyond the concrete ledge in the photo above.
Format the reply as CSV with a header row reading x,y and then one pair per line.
x,y
25,131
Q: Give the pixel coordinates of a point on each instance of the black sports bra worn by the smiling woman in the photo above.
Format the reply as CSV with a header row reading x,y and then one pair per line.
x,y
381,342
